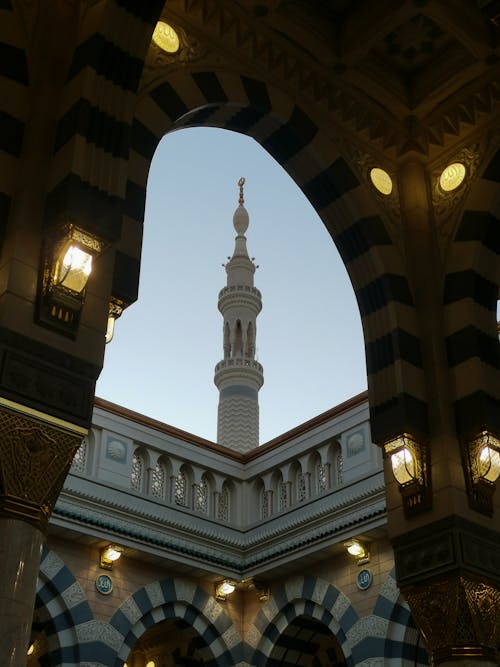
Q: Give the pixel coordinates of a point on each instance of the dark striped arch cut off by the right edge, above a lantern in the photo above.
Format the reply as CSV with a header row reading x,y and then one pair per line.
x,y
470,297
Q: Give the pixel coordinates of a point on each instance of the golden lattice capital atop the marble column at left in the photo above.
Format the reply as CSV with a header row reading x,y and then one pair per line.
x,y
35,457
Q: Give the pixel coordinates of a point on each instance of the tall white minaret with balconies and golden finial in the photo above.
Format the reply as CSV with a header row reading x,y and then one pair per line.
x,y
239,376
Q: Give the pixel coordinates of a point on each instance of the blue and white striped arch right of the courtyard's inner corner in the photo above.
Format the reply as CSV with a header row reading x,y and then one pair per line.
x,y
308,597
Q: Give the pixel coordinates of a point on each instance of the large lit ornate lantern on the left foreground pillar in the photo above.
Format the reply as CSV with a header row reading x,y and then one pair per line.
x,y
68,256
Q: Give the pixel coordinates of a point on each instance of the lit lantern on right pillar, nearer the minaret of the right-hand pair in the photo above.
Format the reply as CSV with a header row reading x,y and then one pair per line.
x,y
410,467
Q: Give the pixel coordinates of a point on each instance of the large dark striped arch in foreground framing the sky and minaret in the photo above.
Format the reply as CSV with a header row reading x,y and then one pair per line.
x,y
110,124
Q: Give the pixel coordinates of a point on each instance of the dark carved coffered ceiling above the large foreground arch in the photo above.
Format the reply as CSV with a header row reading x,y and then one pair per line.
x,y
397,93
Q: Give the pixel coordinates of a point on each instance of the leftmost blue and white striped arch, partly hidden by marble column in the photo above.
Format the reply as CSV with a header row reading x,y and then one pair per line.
x,y
63,613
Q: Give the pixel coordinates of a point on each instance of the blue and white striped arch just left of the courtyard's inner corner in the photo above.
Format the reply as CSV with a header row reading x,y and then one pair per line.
x,y
176,598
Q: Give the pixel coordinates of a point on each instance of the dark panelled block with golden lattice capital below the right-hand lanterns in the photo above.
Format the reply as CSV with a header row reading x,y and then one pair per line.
x,y
449,573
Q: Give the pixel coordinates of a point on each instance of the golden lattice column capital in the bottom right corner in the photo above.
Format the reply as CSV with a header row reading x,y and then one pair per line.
x,y
458,616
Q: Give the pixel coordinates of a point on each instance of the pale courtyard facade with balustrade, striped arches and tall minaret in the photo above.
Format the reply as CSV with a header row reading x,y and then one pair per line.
x,y
227,553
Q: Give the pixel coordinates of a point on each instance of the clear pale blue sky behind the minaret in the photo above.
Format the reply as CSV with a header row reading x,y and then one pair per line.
x,y
309,339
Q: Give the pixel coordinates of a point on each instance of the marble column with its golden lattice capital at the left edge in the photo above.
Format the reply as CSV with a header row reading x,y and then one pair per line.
x,y
35,454
